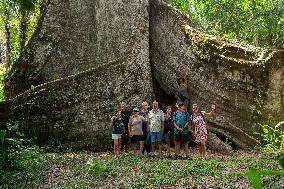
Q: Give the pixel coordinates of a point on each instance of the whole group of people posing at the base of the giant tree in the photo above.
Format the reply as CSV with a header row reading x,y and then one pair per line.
x,y
146,129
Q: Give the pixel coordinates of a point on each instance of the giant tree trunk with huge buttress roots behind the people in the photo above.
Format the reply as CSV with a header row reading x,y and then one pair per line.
x,y
89,55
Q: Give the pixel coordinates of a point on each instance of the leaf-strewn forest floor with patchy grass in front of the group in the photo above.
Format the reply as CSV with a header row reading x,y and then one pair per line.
x,y
102,170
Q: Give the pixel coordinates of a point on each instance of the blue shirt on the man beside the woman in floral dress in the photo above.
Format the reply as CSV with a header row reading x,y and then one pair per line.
x,y
181,118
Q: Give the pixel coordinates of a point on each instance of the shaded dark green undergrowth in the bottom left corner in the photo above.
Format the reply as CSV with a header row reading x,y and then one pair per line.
x,y
20,162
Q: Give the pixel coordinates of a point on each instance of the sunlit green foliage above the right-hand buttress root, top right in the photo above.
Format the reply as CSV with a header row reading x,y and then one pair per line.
x,y
258,22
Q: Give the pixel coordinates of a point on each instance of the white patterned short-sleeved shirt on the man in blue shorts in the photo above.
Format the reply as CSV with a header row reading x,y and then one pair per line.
x,y
156,119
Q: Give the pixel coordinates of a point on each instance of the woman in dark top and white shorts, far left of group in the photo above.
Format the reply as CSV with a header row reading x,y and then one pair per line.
x,y
117,131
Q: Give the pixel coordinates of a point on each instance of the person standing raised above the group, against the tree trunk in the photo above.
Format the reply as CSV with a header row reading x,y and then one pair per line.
x,y
182,92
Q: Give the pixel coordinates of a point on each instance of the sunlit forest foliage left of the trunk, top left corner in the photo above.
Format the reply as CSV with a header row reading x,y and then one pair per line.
x,y
18,14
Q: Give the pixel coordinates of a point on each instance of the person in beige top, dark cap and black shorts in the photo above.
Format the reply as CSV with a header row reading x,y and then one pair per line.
x,y
135,130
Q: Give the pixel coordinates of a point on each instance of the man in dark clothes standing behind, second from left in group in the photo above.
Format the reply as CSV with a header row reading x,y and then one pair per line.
x,y
125,115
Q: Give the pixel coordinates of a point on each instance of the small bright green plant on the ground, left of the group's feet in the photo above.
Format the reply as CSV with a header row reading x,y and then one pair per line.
x,y
96,167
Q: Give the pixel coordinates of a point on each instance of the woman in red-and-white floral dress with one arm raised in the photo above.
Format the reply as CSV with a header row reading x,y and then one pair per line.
x,y
199,128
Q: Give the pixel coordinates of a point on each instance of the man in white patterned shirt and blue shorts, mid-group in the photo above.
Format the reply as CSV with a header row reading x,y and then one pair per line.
x,y
156,125
